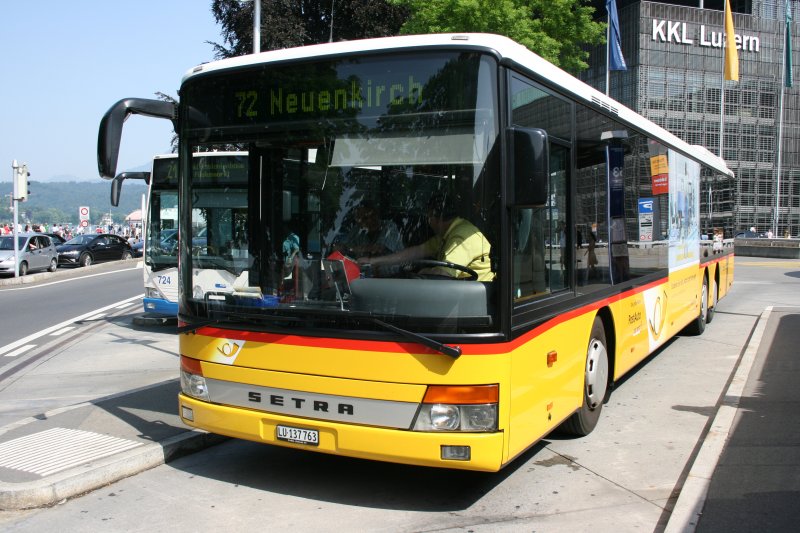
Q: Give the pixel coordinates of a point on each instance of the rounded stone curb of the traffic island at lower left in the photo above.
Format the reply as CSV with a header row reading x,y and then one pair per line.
x,y
91,476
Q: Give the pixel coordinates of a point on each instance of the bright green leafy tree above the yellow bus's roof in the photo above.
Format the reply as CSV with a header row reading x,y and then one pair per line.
x,y
554,29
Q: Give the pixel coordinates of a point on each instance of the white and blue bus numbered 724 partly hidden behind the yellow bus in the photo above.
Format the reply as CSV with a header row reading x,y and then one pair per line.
x,y
160,250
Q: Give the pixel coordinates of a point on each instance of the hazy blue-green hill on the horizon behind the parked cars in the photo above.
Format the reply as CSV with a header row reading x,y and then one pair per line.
x,y
58,202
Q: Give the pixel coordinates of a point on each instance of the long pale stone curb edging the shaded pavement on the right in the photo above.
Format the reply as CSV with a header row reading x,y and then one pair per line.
x,y
692,498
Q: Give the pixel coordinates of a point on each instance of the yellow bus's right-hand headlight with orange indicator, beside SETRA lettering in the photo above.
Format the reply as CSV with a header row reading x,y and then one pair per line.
x,y
457,409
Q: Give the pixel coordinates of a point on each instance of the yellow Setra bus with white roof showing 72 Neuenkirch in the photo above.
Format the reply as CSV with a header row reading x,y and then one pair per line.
x,y
306,324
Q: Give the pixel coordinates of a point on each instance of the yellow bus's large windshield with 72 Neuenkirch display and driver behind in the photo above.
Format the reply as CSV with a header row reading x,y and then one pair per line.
x,y
351,161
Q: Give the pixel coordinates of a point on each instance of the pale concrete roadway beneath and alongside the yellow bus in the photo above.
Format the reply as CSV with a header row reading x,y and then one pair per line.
x,y
623,477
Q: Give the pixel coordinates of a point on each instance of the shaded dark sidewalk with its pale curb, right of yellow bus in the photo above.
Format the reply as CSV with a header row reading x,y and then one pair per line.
x,y
746,476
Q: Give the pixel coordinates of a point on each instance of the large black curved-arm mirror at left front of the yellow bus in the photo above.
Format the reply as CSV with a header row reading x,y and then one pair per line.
x,y
110,133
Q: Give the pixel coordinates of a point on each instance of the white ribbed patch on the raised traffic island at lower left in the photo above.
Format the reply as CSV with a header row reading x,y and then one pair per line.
x,y
57,449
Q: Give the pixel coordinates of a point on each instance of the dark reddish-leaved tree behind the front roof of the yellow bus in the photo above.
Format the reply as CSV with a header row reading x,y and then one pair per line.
x,y
288,23
